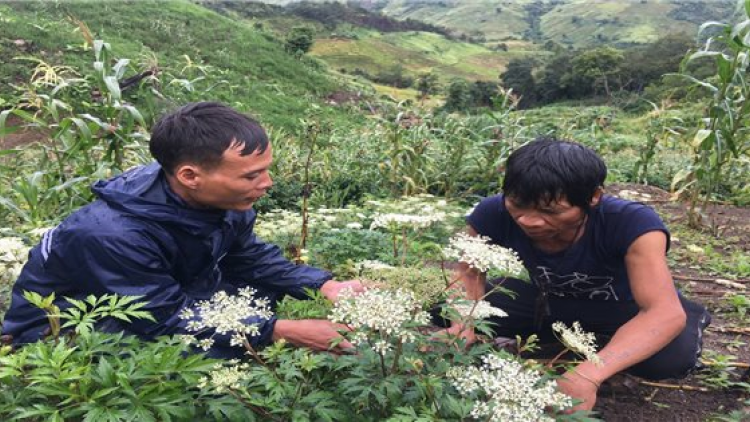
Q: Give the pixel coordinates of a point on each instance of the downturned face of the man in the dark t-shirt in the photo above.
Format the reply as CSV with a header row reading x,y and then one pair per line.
x,y
556,220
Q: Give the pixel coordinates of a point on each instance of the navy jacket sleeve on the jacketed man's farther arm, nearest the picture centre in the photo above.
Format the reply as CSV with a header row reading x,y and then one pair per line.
x,y
252,261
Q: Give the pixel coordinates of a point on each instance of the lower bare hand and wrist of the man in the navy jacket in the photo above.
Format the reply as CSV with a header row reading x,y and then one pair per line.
x,y
317,334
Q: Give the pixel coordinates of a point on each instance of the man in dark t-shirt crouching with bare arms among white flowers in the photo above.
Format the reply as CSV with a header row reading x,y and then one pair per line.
x,y
592,258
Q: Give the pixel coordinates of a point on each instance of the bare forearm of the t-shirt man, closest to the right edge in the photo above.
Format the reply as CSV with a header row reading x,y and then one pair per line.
x,y
636,341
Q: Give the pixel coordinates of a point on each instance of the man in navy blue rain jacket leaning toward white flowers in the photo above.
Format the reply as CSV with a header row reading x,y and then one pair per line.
x,y
175,232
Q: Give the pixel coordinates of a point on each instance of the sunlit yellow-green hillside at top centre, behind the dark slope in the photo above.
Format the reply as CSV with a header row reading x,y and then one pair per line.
x,y
354,40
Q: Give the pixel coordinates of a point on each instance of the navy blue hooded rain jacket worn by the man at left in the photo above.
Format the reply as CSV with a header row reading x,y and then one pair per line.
x,y
140,239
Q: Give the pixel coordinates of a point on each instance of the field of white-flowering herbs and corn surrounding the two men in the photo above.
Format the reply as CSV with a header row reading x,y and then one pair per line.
x,y
384,202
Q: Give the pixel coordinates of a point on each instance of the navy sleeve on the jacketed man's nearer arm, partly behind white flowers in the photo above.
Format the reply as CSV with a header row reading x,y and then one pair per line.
x,y
134,264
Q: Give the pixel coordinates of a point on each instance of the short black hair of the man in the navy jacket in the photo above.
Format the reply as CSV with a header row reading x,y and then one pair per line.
x,y
199,133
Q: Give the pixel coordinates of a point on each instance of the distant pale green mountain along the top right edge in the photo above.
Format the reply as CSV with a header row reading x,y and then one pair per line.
x,y
576,23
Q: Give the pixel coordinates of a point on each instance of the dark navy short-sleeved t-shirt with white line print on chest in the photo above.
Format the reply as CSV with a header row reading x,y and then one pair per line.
x,y
592,268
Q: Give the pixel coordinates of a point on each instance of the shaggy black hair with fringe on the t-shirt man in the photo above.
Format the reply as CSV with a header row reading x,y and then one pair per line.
x,y
549,169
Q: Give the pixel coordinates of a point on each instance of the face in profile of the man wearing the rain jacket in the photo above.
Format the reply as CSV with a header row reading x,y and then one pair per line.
x,y
236,183
